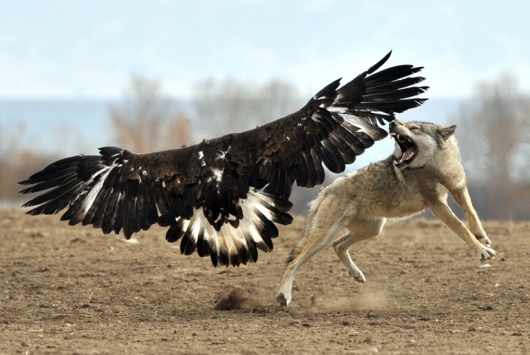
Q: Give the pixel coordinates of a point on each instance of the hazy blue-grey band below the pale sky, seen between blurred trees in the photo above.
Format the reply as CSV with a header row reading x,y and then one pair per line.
x,y
85,125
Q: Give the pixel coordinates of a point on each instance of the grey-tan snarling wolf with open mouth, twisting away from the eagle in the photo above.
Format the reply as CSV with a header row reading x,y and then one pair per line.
x,y
423,169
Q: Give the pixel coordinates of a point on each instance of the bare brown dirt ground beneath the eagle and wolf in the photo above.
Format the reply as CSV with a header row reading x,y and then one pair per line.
x,y
73,290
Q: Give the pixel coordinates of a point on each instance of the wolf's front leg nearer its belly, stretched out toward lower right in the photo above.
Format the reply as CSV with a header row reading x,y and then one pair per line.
x,y
444,213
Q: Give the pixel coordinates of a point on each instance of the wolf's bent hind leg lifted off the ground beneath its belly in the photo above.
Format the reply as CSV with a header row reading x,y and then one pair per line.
x,y
358,230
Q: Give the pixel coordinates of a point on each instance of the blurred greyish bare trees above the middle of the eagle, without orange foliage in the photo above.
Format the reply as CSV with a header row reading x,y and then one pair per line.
x,y
234,106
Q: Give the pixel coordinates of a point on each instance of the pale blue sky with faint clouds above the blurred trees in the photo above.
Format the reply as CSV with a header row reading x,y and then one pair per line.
x,y
88,49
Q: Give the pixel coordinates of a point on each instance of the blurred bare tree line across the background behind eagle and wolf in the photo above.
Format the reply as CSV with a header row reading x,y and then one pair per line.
x,y
493,131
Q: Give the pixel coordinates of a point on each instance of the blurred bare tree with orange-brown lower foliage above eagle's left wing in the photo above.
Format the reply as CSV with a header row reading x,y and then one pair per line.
x,y
147,120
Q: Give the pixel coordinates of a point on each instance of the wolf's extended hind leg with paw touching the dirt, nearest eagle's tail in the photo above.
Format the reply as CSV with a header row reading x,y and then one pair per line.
x,y
319,233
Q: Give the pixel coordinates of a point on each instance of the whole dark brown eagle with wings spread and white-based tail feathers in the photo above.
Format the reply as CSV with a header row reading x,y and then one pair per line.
x,y
223,196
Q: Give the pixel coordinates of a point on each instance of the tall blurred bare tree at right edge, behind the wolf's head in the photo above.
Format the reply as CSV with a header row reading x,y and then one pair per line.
x,y
494,133
